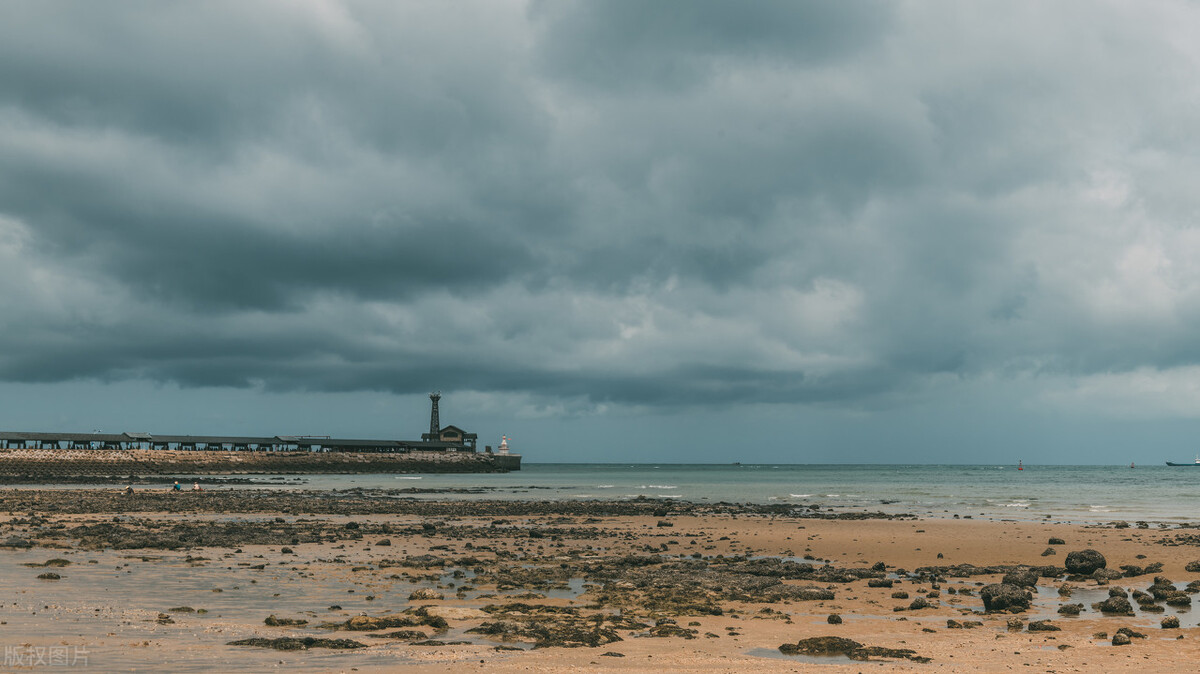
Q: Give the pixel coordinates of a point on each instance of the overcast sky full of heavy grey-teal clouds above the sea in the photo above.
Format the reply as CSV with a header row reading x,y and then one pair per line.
x,y
617,231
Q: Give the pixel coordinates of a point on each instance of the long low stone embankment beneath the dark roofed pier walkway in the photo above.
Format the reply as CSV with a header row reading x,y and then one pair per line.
x,y
73,464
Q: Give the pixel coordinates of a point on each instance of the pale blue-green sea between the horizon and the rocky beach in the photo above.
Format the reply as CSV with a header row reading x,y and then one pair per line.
x,y
1061,494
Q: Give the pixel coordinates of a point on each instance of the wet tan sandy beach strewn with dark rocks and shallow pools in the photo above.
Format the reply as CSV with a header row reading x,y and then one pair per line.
x,y
160,579
